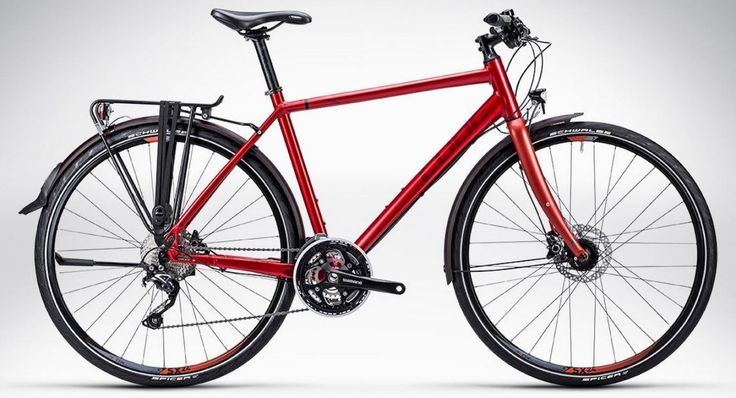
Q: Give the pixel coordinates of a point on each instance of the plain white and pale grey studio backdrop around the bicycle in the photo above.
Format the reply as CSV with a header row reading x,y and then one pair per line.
x,y
662,68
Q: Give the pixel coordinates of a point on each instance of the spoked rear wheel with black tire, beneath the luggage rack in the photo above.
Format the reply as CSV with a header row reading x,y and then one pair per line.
x,y
99,310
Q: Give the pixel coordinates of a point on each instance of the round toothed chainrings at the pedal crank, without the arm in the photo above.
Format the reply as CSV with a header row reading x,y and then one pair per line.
x,y
310,277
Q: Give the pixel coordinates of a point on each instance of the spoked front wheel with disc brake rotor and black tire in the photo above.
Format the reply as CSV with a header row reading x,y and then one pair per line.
x,y
638,211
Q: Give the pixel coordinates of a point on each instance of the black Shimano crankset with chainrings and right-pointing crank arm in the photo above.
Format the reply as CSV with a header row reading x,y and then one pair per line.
x,y
333,277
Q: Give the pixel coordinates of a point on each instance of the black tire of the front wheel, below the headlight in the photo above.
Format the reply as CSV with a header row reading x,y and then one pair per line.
x,y
476,186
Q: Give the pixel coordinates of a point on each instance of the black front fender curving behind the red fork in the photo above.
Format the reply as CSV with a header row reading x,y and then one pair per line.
x,y
557,120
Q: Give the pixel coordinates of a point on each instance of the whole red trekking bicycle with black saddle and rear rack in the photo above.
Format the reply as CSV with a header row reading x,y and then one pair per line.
x,y
581,253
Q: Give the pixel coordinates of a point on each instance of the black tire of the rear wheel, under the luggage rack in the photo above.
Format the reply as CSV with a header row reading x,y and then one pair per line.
x,y
287,218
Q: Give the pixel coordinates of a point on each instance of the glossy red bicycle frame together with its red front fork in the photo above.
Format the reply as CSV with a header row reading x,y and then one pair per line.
x,y
501,104
